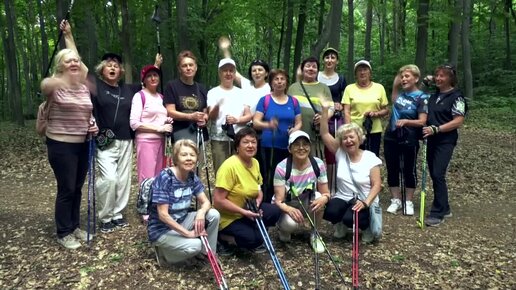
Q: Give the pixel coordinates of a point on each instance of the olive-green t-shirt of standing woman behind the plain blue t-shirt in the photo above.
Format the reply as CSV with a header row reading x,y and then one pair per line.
x,y
318,92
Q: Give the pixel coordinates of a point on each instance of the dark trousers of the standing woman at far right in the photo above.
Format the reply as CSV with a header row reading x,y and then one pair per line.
x,y
438,157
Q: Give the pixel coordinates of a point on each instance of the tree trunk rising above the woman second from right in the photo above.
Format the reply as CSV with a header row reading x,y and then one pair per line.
x,y
422,34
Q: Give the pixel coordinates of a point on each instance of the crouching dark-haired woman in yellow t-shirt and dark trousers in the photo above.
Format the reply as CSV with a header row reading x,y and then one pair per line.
x,y
239,179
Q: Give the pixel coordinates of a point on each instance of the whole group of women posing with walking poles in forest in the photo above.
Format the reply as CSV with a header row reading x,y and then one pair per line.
x,y
306,150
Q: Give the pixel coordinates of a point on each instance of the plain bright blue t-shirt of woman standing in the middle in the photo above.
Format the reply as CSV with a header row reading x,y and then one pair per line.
x,y
286,115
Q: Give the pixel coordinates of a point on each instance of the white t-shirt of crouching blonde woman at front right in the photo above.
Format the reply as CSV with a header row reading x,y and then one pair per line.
x,y
361,173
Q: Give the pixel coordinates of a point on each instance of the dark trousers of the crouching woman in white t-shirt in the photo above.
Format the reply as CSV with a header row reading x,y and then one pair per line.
x,y
338,210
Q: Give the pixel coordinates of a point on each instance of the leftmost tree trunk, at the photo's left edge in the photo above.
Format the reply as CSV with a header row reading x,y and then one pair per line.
x,y
13,82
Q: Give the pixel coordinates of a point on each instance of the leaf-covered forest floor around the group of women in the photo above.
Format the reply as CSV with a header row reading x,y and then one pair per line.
x,y
475,249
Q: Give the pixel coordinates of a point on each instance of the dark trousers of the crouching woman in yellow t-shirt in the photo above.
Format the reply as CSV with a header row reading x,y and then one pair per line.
x,y
246,232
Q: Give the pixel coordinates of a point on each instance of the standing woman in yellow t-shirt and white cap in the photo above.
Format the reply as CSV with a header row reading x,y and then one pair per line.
x,y
366,98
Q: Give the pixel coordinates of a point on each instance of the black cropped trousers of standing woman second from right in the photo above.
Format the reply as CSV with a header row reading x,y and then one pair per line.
x,y
392,152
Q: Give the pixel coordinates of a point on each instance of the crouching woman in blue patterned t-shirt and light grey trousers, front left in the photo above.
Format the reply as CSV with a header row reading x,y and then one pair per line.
x,y
173,231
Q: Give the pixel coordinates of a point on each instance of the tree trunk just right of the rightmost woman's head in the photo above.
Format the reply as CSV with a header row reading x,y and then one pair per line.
x,y
466,51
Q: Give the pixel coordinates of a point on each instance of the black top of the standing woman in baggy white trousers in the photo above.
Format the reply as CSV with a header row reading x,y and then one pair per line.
x,y
109,101
